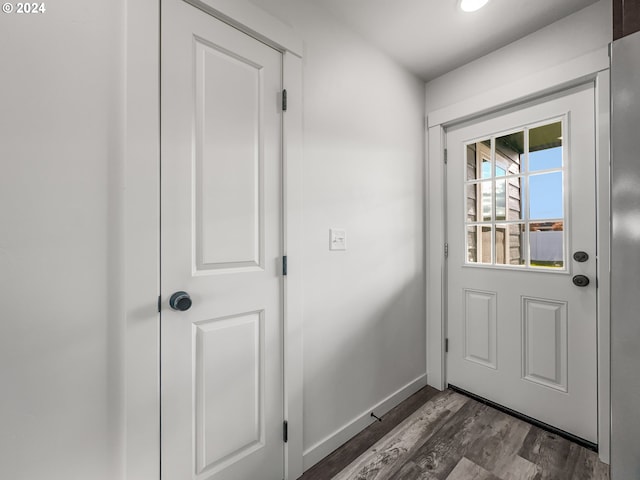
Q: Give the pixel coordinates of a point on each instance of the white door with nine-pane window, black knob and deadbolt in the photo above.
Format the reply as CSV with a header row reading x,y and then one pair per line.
x,y
522,246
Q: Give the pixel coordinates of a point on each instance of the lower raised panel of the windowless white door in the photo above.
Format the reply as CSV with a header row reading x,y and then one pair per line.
x,y
228,379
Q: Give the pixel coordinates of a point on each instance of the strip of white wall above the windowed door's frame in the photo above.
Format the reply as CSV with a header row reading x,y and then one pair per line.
x,y
573,36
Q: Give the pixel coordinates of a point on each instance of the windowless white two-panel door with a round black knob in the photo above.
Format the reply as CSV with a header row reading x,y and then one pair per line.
x,y
221,189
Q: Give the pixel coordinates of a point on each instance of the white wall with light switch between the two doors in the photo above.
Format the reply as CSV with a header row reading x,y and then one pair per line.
x,y
364,333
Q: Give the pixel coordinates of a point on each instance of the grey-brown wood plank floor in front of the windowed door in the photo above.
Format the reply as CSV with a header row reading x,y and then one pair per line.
x,y
447,436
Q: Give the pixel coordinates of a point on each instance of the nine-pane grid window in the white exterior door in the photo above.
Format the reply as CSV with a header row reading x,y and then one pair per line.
x,y
515,199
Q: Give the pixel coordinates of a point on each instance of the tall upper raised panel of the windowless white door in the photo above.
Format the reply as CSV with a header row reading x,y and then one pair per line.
x,y
228,160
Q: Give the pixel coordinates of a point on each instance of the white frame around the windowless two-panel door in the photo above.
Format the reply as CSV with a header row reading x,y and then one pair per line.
x,y
141,204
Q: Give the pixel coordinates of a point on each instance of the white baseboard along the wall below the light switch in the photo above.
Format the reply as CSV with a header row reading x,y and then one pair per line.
x,y
317,452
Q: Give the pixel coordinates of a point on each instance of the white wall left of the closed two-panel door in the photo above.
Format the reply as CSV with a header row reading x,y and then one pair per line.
x,y
60,247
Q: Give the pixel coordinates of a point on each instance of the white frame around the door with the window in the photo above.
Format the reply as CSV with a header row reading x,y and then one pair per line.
x,y
590,68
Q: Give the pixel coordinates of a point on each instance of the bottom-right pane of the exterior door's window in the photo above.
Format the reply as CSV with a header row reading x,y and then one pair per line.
x,y
546,244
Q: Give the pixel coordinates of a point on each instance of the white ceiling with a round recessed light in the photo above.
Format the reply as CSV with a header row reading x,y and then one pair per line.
x,y
432,37
